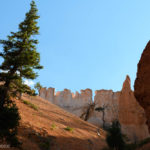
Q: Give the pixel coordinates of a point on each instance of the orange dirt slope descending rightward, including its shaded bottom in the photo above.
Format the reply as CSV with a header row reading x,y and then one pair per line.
x,y
45,128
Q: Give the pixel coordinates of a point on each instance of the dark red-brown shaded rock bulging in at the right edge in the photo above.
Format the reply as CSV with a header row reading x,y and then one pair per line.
x,y
142,82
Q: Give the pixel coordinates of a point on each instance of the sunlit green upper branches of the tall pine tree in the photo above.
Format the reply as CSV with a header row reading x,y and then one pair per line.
x,y
19,53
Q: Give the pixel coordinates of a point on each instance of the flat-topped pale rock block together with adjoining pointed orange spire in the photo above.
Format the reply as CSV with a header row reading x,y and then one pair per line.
x,y
123,107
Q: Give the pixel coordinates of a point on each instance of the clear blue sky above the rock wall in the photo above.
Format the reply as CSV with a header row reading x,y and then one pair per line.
x,y
85,43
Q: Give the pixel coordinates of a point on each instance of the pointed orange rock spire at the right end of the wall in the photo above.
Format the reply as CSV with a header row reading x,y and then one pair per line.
x,y
131,115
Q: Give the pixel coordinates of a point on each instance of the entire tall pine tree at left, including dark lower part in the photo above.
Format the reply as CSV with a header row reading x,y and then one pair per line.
x,y
20,59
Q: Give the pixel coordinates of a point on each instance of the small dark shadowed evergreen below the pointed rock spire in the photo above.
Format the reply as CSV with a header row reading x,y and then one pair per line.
x,y
115,139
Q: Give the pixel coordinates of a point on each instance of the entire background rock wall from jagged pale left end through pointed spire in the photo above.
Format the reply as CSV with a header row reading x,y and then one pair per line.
x,y
107,106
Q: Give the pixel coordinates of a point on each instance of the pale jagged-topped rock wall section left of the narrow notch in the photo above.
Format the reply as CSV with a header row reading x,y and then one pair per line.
x,y
77,103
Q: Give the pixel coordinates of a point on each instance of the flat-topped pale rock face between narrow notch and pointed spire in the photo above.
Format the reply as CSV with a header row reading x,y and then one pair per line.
x,y
107,101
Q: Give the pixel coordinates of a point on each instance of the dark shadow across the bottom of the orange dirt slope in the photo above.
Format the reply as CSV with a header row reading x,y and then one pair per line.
x,y
40,140
